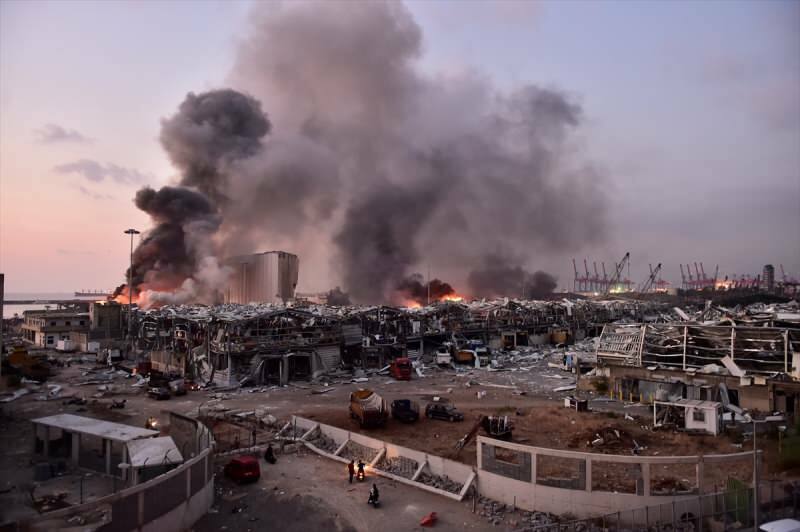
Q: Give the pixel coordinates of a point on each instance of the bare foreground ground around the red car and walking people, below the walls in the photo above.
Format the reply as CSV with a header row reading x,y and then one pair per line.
x,y
311,493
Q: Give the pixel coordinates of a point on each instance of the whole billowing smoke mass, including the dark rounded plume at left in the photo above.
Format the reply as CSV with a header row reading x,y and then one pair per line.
x,y
370,164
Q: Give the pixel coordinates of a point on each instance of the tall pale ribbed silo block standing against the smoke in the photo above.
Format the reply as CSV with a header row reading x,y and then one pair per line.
x,y
269,277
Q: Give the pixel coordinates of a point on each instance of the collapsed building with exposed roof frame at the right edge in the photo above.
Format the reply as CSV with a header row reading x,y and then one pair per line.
x,y
742,367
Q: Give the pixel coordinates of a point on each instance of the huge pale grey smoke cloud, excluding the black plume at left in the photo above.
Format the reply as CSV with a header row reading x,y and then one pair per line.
x,y
431,169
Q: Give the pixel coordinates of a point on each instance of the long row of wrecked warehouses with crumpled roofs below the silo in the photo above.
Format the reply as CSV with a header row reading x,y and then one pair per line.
x,y
274,343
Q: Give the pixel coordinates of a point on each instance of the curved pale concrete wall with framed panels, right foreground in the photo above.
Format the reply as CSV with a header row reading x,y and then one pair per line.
x,y
514,479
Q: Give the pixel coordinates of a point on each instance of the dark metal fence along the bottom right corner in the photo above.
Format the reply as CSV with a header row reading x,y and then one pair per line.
x,y
728,510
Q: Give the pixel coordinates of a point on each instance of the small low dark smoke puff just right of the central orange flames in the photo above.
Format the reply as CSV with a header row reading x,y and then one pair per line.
x,y
500,278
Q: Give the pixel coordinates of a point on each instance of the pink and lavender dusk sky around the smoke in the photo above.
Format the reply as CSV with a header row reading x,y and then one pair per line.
x,y
693,115
